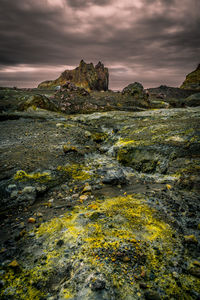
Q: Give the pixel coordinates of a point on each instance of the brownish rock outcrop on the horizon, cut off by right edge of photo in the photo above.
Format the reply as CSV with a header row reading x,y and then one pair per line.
x,y
192,81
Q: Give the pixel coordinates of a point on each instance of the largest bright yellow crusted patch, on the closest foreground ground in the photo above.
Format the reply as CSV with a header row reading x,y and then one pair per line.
x,y
126,241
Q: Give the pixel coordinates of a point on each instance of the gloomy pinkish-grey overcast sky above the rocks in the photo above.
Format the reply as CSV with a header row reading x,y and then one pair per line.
x,y
150,41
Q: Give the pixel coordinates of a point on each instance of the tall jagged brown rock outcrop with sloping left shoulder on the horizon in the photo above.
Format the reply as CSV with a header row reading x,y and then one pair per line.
x,y
85,75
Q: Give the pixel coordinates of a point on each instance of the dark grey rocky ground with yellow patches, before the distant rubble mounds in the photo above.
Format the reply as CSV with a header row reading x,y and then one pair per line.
x,y
100,206
